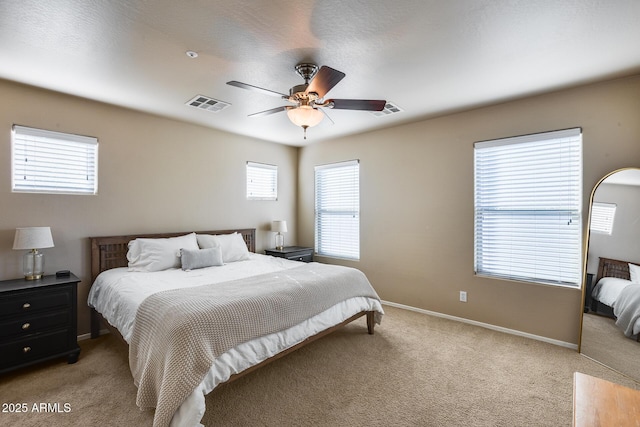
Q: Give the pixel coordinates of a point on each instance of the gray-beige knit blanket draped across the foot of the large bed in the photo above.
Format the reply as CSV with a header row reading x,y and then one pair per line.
x,y
178,333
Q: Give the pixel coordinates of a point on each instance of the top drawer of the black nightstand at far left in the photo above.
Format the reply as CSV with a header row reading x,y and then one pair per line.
x,y
27,302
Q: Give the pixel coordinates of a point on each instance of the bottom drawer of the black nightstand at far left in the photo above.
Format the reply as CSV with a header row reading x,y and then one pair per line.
x,y
28,349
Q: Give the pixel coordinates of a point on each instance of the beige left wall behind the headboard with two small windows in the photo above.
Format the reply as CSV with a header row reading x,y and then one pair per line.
x,y
155,175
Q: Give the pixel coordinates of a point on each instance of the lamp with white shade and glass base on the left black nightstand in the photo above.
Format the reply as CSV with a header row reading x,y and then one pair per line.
x,y
32,239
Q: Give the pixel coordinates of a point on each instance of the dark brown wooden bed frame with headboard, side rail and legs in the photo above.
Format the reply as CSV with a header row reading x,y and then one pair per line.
x,y
111,252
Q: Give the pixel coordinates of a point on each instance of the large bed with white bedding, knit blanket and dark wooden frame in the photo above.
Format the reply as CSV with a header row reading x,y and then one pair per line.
x,y
224,312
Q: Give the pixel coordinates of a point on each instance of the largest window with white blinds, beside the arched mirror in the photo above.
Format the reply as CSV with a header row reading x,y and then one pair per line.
x,y
528,197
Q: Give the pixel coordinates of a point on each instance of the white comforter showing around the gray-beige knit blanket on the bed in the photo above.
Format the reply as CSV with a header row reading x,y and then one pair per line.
x,y
117,293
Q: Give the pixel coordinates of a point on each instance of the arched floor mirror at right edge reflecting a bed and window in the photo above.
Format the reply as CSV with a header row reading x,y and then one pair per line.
x,y
611,318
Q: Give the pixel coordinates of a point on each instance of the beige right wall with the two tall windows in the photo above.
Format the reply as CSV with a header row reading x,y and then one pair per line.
x,y
417,202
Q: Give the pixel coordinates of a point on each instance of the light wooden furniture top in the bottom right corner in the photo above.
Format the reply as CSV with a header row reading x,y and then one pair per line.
x,y
597,402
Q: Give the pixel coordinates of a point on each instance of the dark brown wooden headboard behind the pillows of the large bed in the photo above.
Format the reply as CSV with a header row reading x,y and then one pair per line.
x,y
111,251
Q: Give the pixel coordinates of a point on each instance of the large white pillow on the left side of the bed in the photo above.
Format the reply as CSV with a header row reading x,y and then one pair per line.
x,y
158,254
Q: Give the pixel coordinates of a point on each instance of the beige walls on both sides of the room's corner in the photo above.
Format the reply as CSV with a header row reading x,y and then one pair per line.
x,y
161,175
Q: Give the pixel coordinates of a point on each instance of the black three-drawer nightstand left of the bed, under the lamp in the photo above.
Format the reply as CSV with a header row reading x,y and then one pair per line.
x,y
38,321
